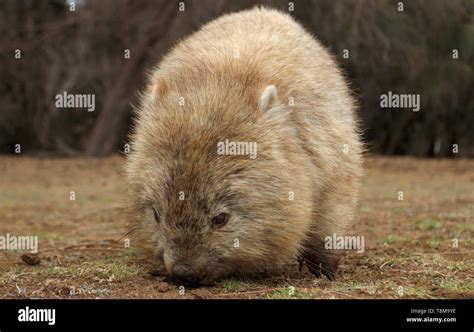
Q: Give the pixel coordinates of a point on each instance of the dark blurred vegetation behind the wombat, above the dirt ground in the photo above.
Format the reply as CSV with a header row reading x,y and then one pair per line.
x,y
82,51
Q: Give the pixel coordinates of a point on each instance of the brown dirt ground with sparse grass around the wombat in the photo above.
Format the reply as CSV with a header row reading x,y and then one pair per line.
x,y
418,247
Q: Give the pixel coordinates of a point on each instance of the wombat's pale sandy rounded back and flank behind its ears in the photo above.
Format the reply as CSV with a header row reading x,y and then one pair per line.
x,y
264,46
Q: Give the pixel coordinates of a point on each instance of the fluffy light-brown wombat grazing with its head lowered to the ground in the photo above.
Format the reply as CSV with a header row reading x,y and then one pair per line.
x,y
204,203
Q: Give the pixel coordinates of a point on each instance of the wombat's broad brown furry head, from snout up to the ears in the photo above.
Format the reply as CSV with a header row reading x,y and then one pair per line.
x,y
210,214
